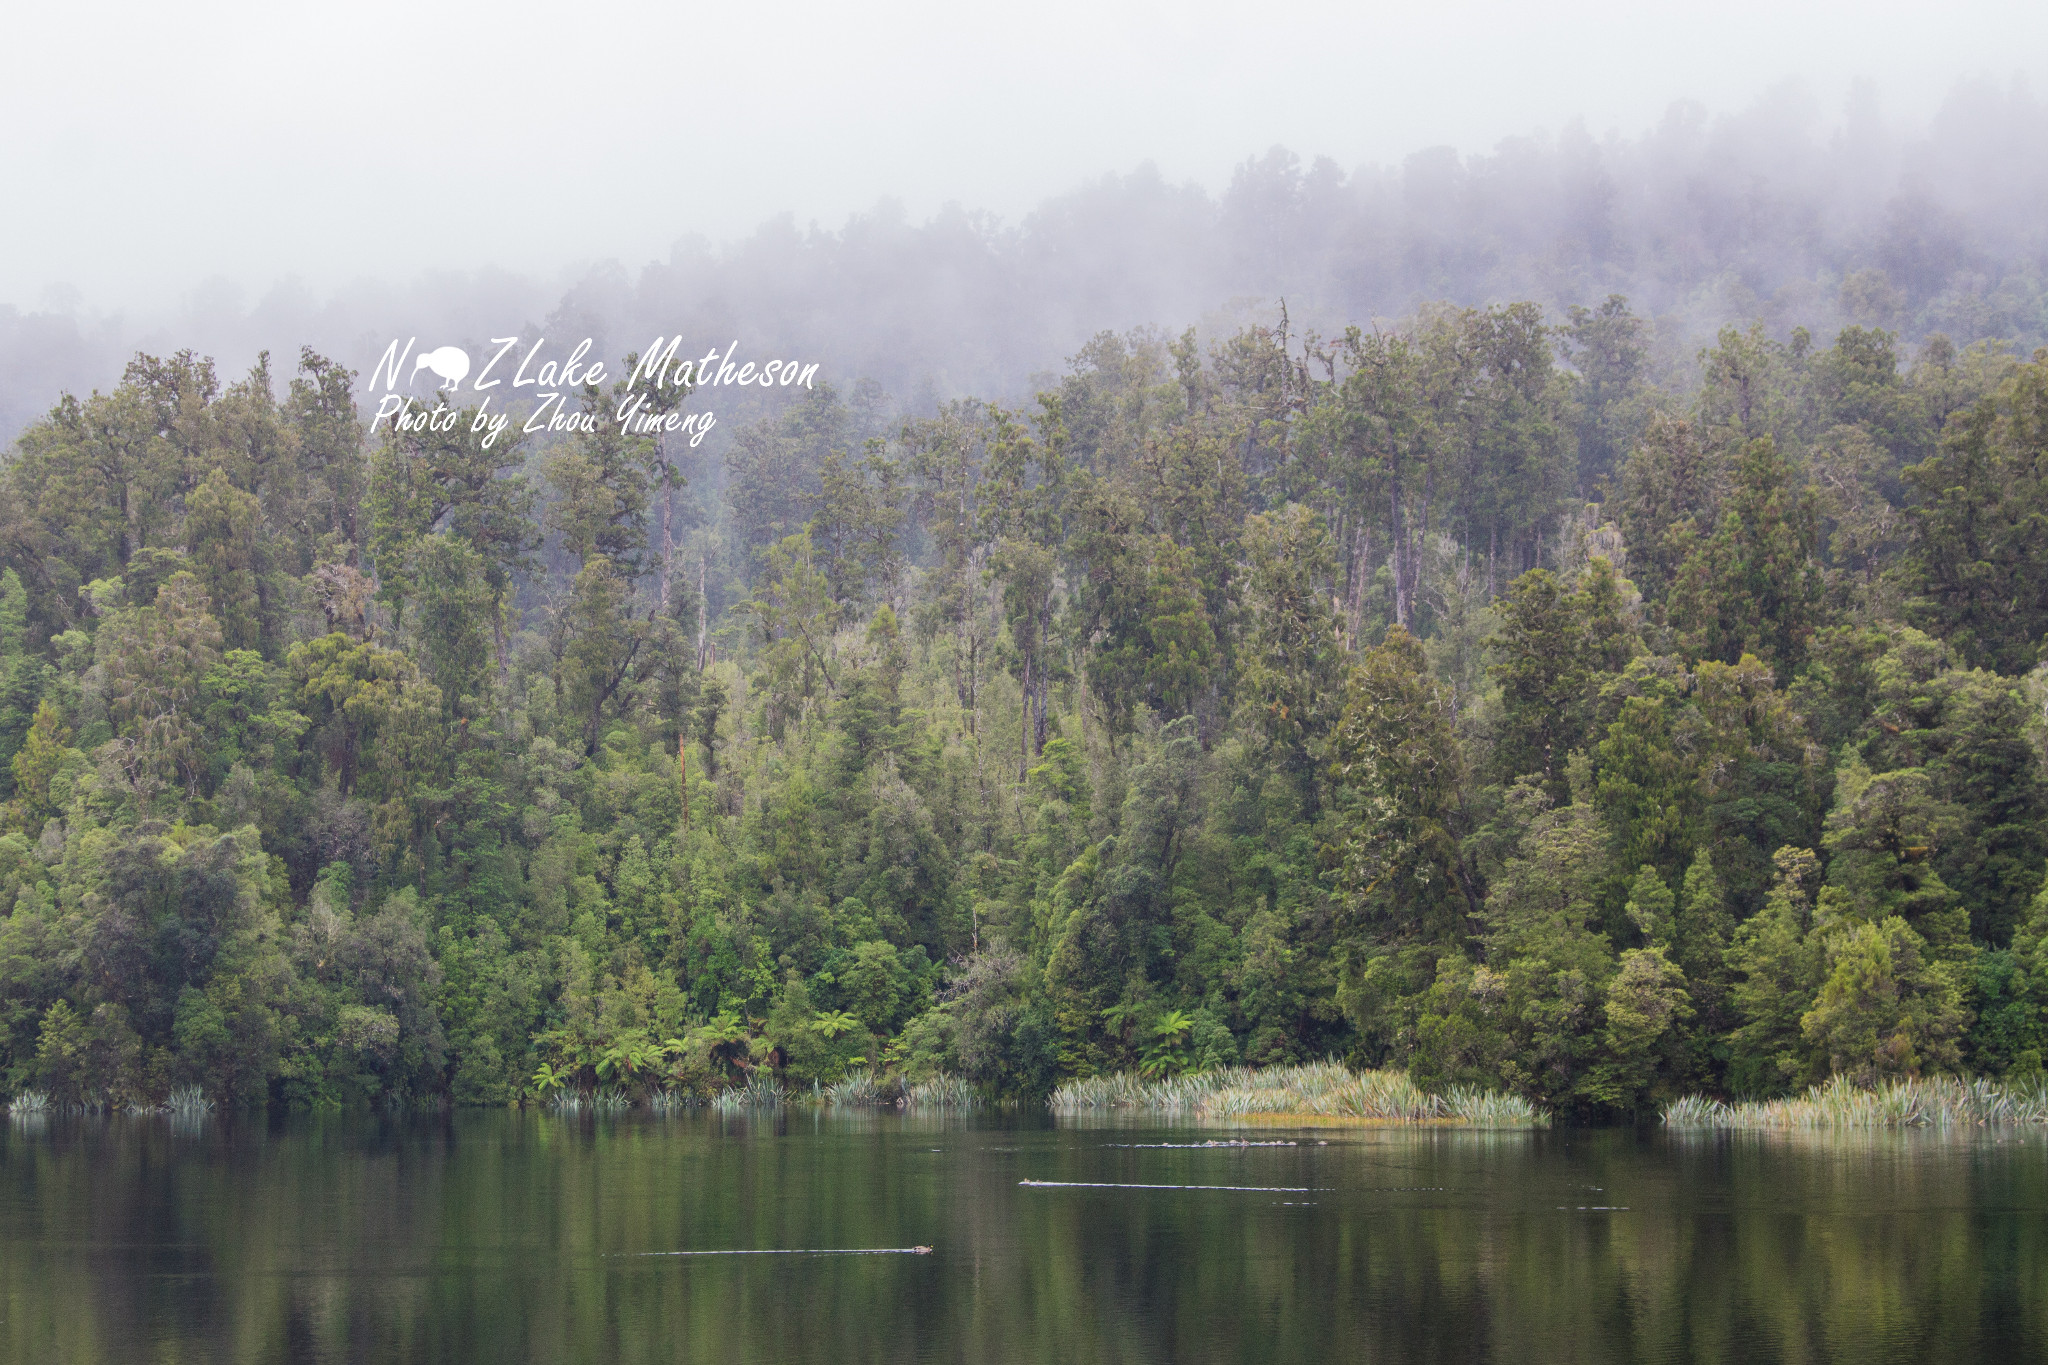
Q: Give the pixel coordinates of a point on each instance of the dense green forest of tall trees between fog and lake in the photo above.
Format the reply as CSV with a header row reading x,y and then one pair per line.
x,y
1443,695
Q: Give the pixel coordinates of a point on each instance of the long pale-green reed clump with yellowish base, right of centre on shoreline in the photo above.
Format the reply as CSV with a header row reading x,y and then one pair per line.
x,y
1318,1090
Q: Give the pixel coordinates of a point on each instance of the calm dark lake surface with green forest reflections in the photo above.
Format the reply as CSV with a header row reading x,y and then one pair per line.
x,y
503,1237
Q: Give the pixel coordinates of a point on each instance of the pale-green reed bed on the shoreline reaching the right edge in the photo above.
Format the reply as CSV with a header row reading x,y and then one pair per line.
x,y
1926,1102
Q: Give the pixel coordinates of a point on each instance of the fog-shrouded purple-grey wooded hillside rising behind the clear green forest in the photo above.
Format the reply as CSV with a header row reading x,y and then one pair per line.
x,y
1783,212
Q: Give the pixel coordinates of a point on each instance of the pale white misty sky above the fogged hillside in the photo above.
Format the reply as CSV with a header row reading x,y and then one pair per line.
x,y
153,146
